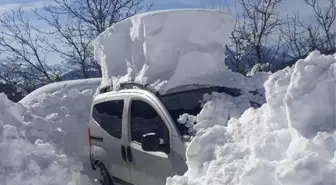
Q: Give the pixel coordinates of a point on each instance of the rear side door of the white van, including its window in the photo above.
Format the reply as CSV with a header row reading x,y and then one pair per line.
x,y
110,116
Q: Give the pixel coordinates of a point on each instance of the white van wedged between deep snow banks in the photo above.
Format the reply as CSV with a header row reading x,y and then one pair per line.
x,y
134,134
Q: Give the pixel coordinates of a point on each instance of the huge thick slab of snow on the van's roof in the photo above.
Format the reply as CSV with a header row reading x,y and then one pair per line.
x,y
172,47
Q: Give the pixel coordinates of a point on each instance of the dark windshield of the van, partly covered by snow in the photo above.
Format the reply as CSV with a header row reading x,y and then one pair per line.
x,y
190,102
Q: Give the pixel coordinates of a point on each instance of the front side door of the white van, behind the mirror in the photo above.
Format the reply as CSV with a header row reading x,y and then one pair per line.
x,y
148,168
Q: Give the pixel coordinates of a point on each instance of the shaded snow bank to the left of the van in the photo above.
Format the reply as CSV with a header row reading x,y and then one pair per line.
x,y
44,138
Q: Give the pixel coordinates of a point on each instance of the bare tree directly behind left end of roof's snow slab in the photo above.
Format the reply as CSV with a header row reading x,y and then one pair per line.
x,y
77,22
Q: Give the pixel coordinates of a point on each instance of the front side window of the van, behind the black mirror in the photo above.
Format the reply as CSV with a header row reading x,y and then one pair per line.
x,y
144,120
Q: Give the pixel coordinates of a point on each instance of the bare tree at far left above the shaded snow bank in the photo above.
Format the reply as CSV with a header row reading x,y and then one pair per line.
x,y
23,61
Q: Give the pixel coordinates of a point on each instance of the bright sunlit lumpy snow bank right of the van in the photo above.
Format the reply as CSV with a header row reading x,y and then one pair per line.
x,y
290,140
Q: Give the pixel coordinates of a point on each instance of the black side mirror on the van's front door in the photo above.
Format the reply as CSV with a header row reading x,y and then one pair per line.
x,y
150,142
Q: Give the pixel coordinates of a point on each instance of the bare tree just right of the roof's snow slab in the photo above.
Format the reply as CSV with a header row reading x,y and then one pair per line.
x,y
255,39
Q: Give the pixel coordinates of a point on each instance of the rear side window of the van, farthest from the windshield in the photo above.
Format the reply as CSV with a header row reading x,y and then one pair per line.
x,y
109,116
